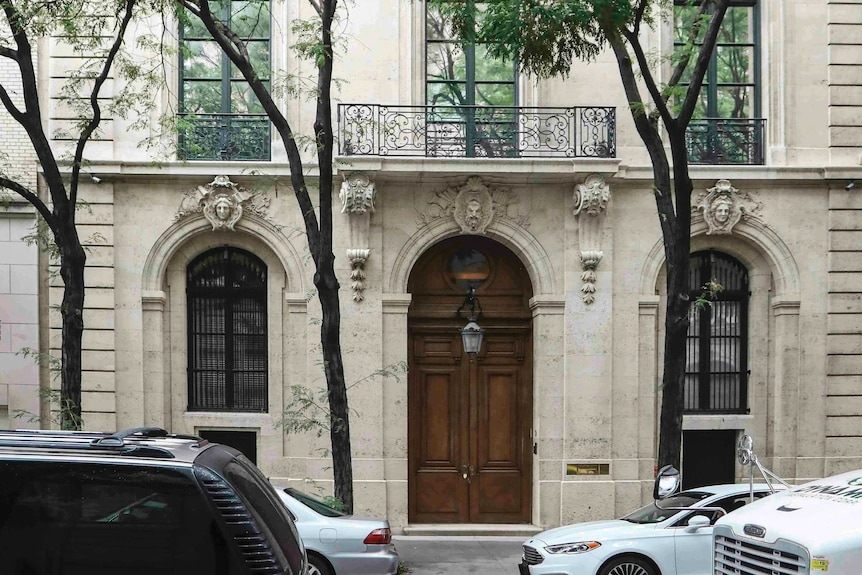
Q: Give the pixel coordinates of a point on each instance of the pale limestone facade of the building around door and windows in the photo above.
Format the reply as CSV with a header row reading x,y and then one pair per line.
x,y
585,231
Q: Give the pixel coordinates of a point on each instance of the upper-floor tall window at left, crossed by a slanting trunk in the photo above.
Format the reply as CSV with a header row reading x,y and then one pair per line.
x,y
220,117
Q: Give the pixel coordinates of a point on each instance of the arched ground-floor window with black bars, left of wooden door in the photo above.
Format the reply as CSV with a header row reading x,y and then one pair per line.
x,y
227,369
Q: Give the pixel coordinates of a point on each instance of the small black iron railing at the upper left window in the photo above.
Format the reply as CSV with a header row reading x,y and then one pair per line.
x,y
224,137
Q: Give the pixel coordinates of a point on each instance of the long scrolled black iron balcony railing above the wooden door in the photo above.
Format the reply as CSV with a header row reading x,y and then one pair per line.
x,y
476,131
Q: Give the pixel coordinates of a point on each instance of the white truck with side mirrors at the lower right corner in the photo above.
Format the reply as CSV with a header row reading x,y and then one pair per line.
x,y
809,529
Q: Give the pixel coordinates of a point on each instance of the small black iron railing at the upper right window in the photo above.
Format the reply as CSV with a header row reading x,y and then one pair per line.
x,y
726,141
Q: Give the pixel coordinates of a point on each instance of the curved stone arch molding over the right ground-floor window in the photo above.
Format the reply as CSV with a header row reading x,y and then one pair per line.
x,y
760,248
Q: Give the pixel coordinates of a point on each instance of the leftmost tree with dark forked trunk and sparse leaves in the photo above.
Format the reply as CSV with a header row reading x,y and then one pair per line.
x,y
95,31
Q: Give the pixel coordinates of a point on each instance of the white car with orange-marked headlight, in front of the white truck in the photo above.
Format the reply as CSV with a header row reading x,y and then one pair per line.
x,y
649,541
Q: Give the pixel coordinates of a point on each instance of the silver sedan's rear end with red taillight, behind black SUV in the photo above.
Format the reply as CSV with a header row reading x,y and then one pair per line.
x,y
339,544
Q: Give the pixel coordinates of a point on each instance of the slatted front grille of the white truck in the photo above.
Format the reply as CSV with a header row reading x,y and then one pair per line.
x,y
738,557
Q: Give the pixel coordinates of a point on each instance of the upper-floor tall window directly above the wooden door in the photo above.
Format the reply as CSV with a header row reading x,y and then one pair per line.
x,y
470,95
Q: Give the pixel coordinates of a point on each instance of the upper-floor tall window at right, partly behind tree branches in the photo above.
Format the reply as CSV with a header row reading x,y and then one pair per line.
x,y
727,127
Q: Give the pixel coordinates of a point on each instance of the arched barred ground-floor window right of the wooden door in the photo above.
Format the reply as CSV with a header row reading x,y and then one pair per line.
x,y
716,347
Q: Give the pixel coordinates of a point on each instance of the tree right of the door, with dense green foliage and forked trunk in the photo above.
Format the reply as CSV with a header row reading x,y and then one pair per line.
x,y
546,38
